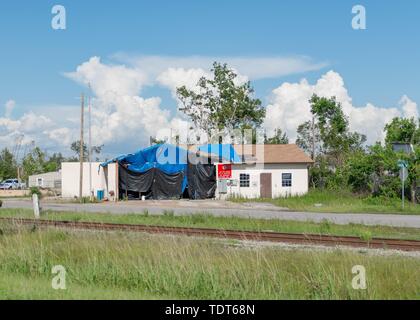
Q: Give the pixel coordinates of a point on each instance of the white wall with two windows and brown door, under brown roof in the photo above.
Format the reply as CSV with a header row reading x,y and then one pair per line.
x,y
299,180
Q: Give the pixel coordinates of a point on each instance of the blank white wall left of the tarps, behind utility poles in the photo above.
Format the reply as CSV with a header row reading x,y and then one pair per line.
x,y
102,179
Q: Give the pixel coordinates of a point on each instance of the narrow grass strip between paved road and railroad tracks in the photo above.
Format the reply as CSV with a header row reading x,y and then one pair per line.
x,y
233,223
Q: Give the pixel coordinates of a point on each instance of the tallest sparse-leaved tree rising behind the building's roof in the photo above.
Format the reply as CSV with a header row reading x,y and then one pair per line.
x,y
221,103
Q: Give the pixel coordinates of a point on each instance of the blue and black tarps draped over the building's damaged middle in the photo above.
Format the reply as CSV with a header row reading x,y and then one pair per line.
x,y
165,172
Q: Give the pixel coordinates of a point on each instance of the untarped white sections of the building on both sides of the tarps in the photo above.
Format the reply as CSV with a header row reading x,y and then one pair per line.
x,y
263,171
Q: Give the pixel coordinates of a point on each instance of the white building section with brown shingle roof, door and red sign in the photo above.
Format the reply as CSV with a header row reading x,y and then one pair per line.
x,y
268,171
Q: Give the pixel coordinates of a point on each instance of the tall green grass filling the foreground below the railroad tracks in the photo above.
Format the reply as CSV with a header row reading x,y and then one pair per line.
x,y
123,265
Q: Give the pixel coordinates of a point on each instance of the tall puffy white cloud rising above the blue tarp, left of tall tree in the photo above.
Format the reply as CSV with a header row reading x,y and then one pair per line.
x,y
119,113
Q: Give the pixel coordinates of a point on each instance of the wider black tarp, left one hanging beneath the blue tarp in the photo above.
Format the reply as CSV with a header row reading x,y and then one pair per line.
x,y
154,184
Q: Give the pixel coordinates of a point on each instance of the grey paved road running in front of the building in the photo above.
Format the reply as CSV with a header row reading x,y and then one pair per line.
x,y
224,209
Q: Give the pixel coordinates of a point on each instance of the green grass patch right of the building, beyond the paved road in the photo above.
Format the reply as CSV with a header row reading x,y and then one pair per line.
x,y
339,202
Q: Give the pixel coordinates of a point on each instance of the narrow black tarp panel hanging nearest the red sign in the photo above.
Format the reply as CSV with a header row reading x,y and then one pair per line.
x,y
201,181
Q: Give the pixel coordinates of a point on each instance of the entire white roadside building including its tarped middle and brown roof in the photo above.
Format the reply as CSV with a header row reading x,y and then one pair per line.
x,y
171,172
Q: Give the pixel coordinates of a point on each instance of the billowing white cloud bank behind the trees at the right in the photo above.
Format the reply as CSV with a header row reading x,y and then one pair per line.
x,y
289,107
